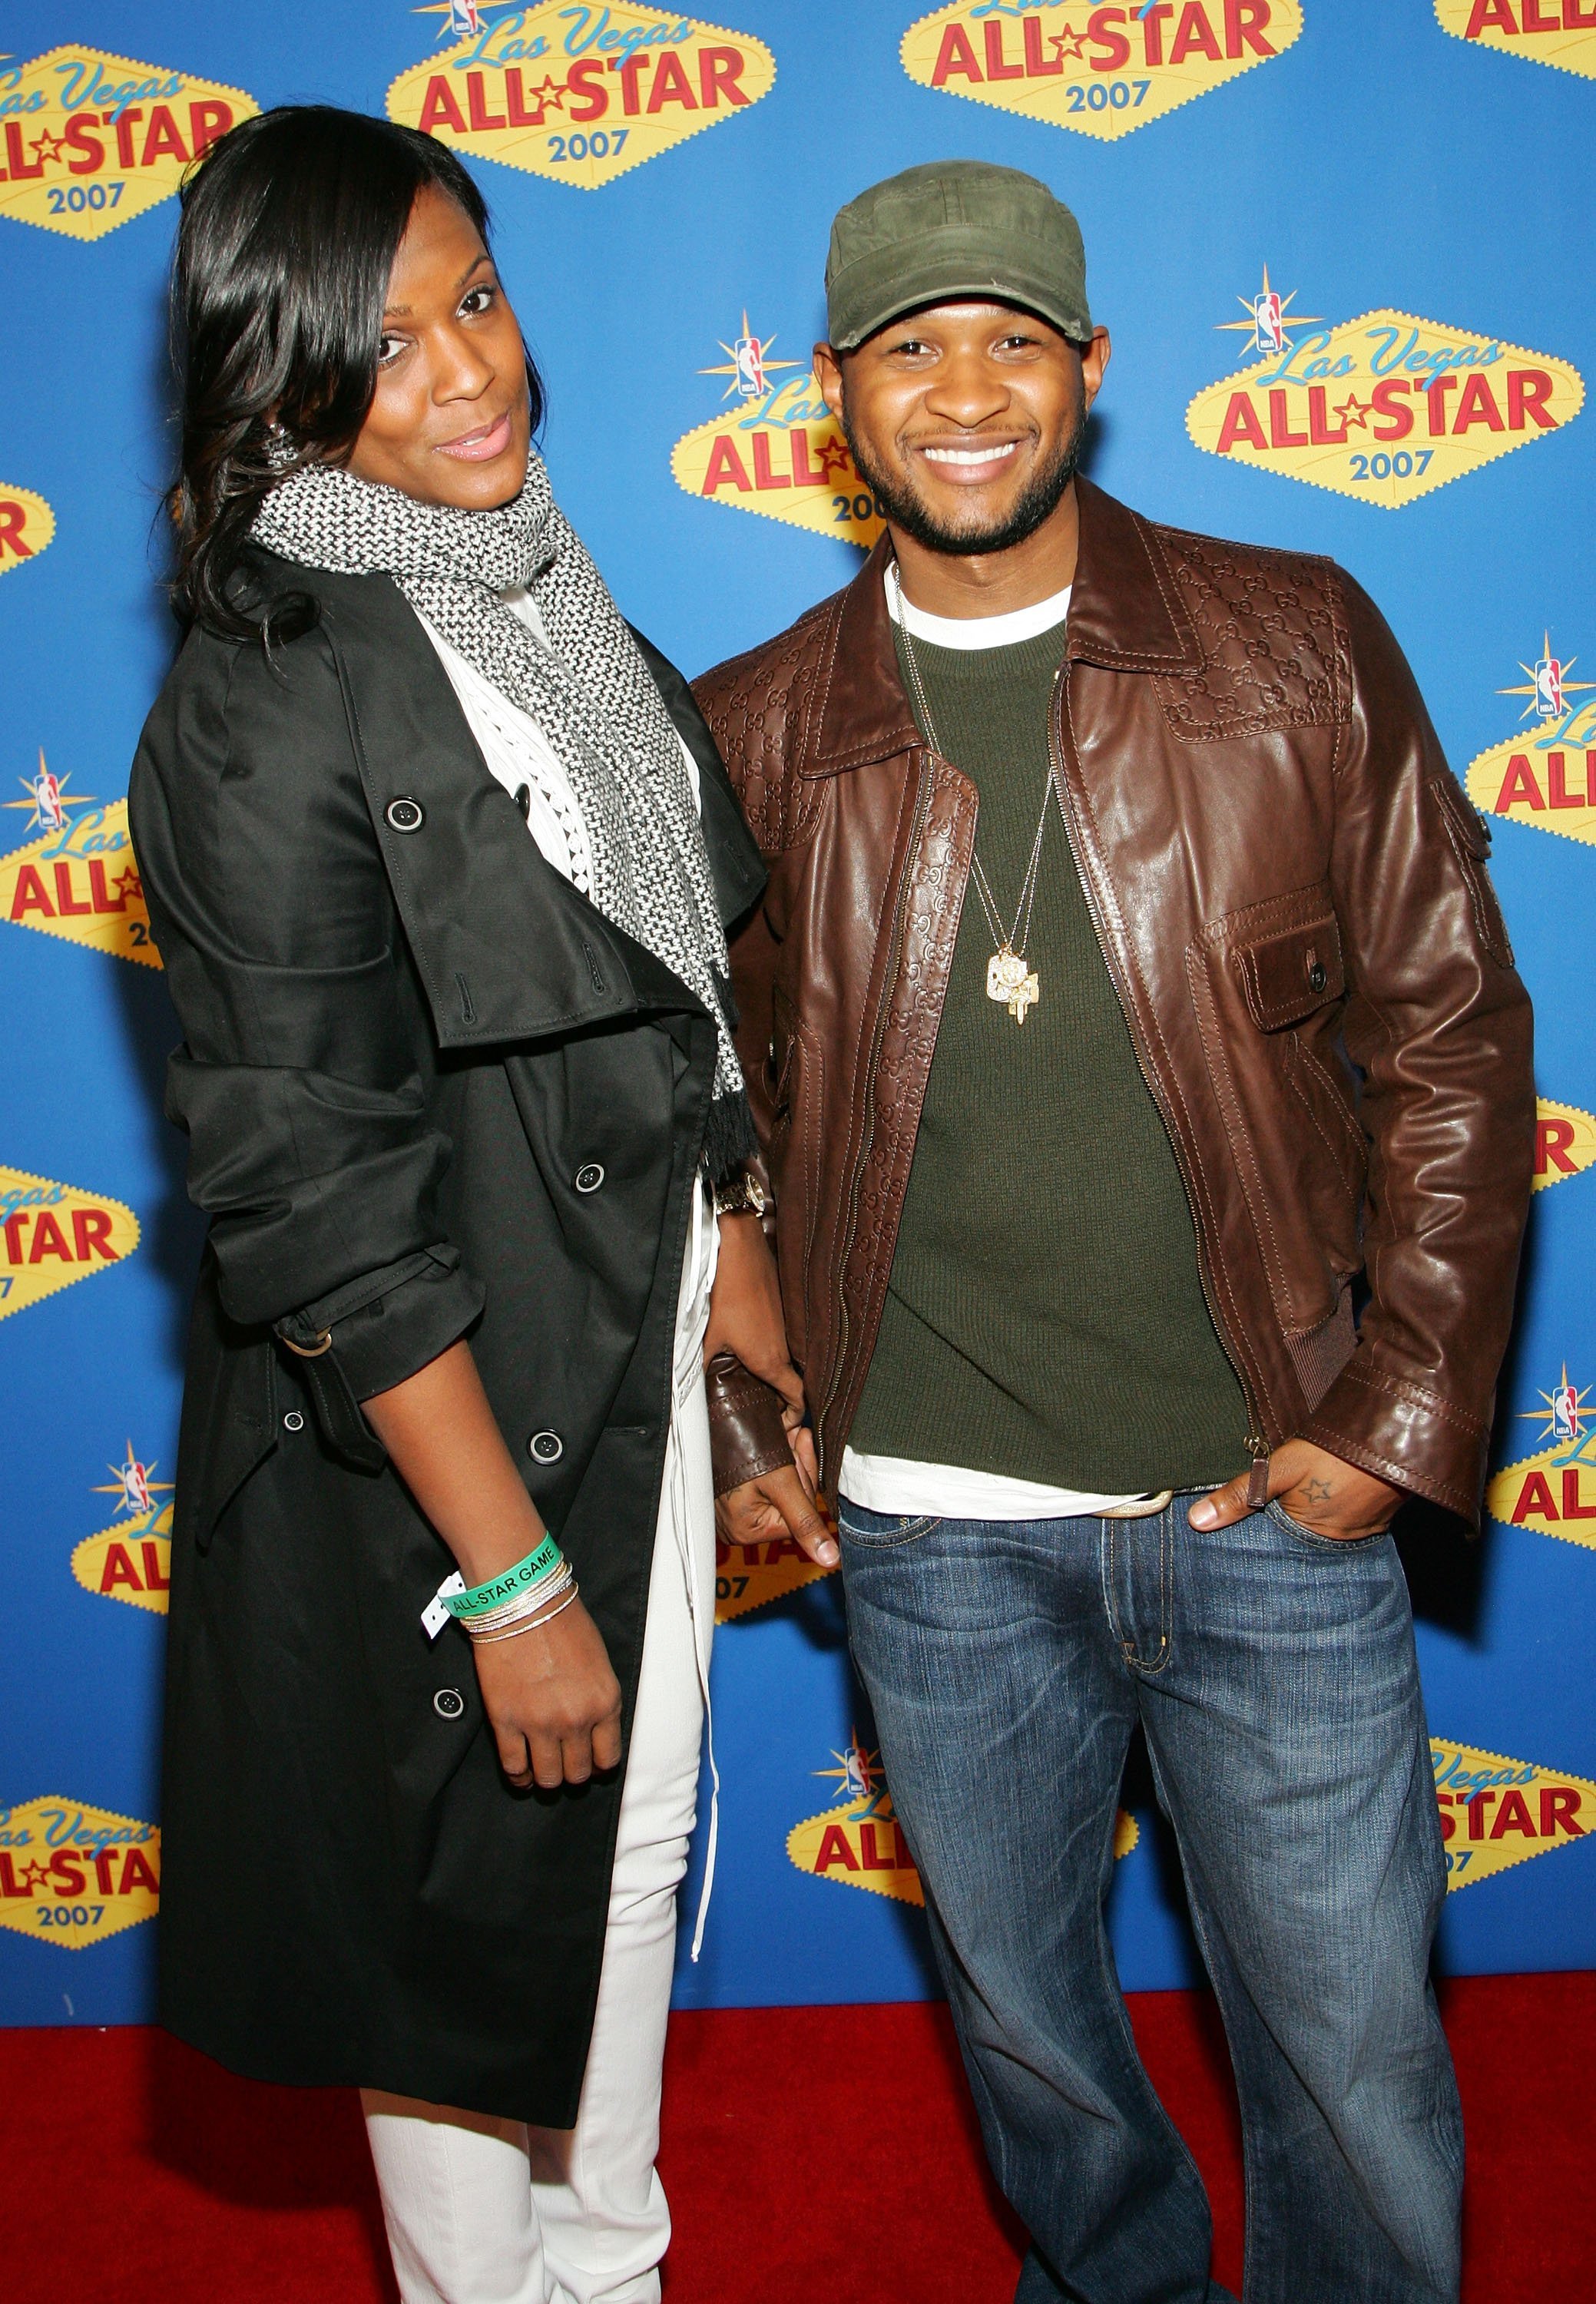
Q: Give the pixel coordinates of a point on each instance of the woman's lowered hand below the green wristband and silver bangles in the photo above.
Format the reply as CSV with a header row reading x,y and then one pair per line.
x,y
552,1702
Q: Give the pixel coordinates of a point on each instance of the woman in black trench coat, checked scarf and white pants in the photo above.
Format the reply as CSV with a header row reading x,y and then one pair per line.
x,y
439,861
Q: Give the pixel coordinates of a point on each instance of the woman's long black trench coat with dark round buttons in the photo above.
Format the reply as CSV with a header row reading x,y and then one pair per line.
x,y
430,1093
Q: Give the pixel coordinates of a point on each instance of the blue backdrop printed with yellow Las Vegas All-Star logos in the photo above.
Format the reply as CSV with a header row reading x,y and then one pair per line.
x,y
1374,158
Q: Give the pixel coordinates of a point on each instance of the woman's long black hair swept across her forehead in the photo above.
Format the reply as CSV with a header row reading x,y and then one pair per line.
x,y
284,255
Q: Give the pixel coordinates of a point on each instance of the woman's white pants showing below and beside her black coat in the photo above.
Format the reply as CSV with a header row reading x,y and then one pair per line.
x,y
489,2211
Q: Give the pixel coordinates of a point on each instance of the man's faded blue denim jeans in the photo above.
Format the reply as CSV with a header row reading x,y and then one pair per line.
x,y
1277,1685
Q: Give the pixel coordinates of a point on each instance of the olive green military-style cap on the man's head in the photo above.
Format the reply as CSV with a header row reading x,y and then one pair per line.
x,y
955,227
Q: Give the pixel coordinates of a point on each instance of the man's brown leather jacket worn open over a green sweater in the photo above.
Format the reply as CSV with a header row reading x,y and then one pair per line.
x,y
1293,904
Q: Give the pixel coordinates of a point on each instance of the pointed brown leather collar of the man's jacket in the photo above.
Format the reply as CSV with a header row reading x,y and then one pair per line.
x,y
1123,614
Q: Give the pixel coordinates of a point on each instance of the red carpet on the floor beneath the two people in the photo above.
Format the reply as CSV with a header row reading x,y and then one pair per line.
x,y
812,2158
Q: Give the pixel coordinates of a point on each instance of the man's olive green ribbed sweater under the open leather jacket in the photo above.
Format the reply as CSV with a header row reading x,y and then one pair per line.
x,y
1044,1314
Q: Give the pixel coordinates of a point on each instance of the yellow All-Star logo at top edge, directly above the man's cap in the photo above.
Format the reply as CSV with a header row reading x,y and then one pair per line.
x,y
1097,70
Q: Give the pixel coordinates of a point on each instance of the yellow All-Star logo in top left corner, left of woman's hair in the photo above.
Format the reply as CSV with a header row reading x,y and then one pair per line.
x,y
91,142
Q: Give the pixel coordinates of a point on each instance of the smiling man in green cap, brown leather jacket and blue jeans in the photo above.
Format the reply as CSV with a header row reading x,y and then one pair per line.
x,y
1146,1102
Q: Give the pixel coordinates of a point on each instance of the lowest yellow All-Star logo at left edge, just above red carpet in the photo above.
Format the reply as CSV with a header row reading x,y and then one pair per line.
x,y
73,1874
